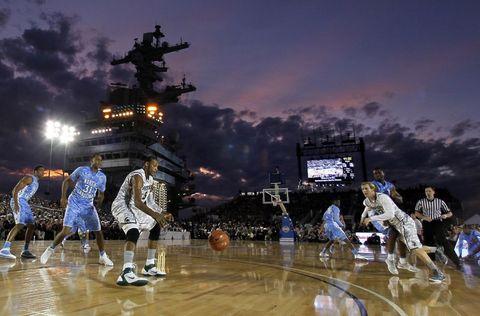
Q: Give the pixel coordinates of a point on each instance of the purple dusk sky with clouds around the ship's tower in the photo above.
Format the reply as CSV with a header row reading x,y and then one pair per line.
x,y
404,73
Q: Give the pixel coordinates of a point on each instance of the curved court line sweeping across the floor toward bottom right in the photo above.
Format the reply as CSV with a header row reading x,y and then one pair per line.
x,y
397,308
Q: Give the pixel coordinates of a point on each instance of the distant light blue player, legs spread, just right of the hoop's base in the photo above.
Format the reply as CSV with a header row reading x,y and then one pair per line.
x,y
334,230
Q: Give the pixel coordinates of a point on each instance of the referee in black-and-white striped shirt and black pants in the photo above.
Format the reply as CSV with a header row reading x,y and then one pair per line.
x,y
434,212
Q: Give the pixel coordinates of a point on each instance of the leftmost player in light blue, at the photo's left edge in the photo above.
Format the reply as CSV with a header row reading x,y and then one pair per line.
x,y
22,213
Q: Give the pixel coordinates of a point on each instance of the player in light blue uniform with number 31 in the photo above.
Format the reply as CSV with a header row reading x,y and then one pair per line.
x,y
87,181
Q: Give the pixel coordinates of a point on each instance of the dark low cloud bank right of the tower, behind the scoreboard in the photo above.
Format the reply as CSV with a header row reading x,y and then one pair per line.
x,y
243,152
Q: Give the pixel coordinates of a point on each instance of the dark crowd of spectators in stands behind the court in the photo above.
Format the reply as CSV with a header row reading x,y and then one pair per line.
x,y
243,218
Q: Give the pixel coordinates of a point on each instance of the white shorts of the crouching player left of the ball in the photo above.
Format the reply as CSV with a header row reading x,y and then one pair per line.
x,y
129,217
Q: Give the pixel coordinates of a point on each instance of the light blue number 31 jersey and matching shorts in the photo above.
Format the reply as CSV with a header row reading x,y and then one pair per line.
x,y
80,202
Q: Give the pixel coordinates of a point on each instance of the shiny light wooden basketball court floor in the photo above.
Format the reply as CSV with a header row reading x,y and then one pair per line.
x,y
249,278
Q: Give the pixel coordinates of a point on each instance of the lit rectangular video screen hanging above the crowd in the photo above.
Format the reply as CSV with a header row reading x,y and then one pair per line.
x,y
331,170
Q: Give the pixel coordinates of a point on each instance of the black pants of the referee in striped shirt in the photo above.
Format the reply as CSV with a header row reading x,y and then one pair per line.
x,y
435,234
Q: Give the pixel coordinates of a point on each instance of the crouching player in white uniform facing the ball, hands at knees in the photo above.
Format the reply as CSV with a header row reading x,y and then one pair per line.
x,y
135,210
